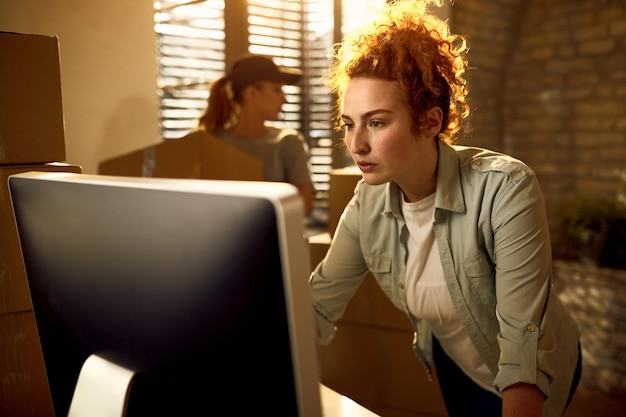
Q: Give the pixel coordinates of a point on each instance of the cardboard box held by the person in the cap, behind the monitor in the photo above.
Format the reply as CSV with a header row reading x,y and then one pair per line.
x,y
197,155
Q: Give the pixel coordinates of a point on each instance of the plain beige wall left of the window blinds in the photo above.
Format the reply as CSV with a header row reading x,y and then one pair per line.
x,y
108,71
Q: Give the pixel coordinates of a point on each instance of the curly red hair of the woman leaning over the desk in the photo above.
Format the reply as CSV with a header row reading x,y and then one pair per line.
x,y
409,45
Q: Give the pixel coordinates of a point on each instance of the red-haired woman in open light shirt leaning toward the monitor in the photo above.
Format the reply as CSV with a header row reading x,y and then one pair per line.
x,y
457,237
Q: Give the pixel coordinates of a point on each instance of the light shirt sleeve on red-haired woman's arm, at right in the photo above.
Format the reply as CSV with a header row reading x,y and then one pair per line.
x,y
523,283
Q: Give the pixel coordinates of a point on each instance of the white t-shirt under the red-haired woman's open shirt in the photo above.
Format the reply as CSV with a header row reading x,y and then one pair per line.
x,y
428,297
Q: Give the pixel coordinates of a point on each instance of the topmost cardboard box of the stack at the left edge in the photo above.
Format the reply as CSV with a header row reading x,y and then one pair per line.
x,y
31,110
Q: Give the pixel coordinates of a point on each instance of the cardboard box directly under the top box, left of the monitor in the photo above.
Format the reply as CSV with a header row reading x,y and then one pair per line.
x,y
14,293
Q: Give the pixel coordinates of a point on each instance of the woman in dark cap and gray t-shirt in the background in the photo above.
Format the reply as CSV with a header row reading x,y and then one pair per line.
x,y
241,102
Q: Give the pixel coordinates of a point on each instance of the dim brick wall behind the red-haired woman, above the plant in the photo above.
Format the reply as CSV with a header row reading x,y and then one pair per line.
x,y
549,87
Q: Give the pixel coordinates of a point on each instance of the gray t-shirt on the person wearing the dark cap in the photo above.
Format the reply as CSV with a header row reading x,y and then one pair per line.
x,y
284,153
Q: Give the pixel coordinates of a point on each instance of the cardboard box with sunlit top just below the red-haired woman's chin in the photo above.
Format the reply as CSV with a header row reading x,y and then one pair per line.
x,y
342,183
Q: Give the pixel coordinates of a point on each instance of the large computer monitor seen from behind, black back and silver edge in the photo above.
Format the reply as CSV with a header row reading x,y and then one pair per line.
x,y
194,291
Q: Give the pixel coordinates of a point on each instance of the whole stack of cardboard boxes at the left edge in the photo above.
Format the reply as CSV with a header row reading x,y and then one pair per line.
x,y
31,139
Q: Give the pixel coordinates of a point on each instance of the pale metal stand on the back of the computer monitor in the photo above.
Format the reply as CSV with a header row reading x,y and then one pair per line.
x,y
102,389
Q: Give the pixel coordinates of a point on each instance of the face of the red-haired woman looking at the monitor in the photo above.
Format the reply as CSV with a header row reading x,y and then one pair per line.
x,y
380,138
